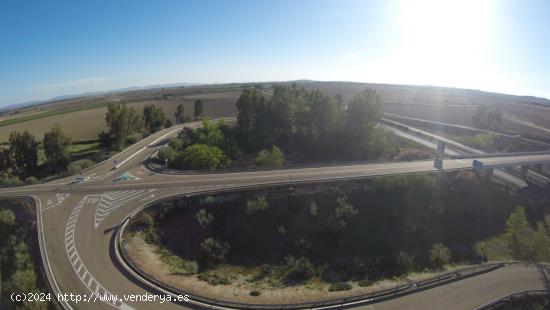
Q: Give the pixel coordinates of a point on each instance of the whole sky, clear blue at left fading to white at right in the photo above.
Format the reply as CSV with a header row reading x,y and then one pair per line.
x,y
52,48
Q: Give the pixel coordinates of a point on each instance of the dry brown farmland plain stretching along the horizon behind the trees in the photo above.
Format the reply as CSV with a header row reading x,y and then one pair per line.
x,y
433,103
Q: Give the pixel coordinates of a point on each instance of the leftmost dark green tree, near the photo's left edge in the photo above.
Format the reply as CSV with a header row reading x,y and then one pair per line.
x,y
24,153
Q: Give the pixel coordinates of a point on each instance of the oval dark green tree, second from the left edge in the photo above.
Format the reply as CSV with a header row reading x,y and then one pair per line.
x,y
56,145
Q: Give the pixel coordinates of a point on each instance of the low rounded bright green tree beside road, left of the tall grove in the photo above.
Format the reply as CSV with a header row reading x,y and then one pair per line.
x,y
200,157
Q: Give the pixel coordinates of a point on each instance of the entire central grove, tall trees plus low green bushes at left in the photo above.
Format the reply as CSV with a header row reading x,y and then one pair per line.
x,y
292,119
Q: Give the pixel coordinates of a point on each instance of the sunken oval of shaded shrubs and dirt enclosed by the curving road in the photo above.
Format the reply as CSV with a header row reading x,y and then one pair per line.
x,y
326,241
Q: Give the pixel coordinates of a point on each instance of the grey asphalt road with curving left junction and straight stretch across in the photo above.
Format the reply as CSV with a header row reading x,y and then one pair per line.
x,y
77,223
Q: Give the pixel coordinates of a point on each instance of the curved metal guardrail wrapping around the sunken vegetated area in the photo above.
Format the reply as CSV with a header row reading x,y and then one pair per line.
x,y
206,302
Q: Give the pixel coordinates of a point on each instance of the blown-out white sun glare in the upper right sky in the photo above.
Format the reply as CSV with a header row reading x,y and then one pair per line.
x,y
442,42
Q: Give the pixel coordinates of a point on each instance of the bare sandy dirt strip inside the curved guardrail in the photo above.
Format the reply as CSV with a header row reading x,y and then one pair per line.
x,y
143,255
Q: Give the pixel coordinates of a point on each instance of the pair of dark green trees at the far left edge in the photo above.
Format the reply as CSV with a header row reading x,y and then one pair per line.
x,y
20,158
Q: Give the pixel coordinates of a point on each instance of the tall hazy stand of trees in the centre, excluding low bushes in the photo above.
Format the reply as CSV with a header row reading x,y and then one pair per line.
x,y
296,119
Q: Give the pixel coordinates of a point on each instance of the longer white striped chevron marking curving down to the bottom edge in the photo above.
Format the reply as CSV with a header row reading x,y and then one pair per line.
x,y
78,265
